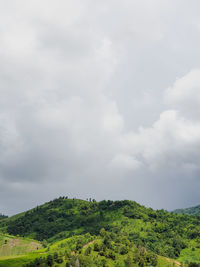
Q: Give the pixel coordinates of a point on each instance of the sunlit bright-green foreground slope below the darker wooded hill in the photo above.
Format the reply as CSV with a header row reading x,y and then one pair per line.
x,y
92,251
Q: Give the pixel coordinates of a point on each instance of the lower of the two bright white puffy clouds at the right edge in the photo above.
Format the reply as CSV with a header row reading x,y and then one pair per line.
x,y
172,142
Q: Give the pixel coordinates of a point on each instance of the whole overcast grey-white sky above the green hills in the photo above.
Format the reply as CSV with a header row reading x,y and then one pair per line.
x,y
99,99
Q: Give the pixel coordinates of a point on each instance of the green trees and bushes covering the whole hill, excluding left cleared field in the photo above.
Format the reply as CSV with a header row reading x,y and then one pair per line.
x,y
106,233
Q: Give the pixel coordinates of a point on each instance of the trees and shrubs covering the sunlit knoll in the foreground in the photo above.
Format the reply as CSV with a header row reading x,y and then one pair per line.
x,y
104,250
